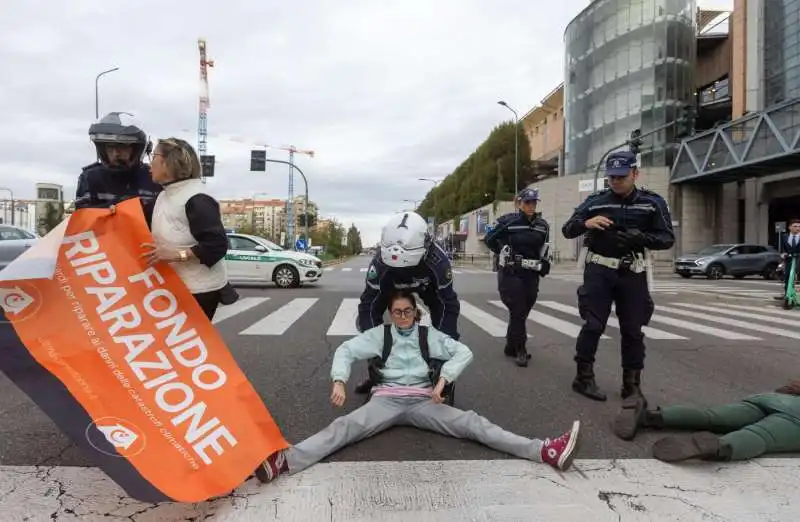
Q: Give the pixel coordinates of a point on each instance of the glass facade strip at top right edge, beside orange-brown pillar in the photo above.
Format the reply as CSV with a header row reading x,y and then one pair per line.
x,y
781,51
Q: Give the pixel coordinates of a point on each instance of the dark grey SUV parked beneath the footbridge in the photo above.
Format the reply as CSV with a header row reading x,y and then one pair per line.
x,y
737,260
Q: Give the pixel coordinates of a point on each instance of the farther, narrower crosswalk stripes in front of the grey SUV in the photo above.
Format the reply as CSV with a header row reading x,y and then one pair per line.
x,y
754,289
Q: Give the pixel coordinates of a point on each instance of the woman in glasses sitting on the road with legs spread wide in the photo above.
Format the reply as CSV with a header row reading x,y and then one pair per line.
x,y
406,396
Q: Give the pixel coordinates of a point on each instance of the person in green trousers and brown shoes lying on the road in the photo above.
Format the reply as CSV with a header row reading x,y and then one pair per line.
x,y
756,425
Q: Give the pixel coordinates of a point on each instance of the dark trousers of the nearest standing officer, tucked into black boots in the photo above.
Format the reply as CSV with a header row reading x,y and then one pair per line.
x,y
628,291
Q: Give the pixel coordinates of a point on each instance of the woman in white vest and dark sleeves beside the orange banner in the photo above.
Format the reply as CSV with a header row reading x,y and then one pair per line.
x,y
187,225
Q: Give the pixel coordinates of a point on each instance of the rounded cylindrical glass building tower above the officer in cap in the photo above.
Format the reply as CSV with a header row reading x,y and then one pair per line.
x,y
629,65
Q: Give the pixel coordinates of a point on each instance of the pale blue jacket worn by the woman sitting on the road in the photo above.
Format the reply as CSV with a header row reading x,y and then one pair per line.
x,y
405,365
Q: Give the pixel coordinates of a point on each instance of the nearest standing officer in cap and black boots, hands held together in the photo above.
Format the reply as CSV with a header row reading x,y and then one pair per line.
x,y
621,224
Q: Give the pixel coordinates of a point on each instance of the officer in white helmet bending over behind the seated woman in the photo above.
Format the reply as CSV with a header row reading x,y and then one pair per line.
x,y
410,259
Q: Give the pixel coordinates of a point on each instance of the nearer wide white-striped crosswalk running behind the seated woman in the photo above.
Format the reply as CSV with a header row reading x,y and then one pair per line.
x,y
672,321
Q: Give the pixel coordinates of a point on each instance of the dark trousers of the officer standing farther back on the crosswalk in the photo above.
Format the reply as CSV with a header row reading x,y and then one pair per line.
x,y
518,288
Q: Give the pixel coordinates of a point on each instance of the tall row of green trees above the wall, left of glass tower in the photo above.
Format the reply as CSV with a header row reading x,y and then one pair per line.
x,y
487,175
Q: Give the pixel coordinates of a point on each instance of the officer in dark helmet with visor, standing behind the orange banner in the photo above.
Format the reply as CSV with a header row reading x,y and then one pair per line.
x,y
120,173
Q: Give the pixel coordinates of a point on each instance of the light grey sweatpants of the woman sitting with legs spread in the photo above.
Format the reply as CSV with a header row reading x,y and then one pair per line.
x,y
381,413
